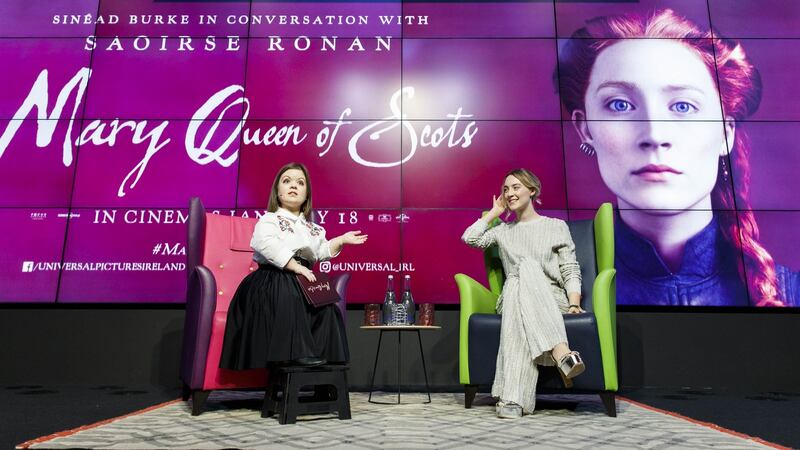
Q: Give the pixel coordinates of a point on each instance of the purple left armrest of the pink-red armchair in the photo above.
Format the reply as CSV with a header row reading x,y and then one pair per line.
x,y
201,302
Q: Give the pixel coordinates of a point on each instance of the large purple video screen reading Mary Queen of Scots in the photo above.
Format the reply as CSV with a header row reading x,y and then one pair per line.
x,y
408,114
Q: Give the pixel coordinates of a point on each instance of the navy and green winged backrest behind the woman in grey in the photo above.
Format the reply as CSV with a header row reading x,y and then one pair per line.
x,y
594,249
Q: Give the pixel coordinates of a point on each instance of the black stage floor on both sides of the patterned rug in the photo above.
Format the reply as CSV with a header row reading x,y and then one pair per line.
x,y
31,411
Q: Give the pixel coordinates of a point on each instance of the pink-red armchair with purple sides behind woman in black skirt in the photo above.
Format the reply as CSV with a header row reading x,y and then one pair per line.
x,y
218,257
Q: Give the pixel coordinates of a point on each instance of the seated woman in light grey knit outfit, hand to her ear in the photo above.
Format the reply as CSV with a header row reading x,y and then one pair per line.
x,y
543,280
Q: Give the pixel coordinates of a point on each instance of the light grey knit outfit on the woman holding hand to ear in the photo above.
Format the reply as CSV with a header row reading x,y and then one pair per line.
x,y
538,259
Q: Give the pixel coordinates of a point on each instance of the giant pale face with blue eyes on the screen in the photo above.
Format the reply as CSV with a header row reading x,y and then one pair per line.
x,y
653,115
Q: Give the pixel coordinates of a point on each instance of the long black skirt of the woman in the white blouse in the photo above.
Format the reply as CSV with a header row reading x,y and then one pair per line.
x,y
269,321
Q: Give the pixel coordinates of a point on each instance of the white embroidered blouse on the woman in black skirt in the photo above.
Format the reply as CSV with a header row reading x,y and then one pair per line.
x,y
281,235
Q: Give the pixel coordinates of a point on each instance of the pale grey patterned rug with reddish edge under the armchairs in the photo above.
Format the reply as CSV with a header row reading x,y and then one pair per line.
x,y
233,419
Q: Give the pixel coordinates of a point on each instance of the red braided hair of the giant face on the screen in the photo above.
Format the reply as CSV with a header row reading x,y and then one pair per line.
x,y
739,84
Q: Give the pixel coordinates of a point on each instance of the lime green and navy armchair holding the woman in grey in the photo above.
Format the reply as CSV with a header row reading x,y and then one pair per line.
x,y
593,333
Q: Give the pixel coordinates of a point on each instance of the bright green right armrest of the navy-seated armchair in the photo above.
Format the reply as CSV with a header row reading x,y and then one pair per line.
x,y
604,302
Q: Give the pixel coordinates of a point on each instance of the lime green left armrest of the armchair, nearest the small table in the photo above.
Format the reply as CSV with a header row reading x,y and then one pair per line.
x,y
474,298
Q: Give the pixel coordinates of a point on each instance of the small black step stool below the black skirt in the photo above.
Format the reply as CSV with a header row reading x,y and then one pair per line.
x,y
330,392
